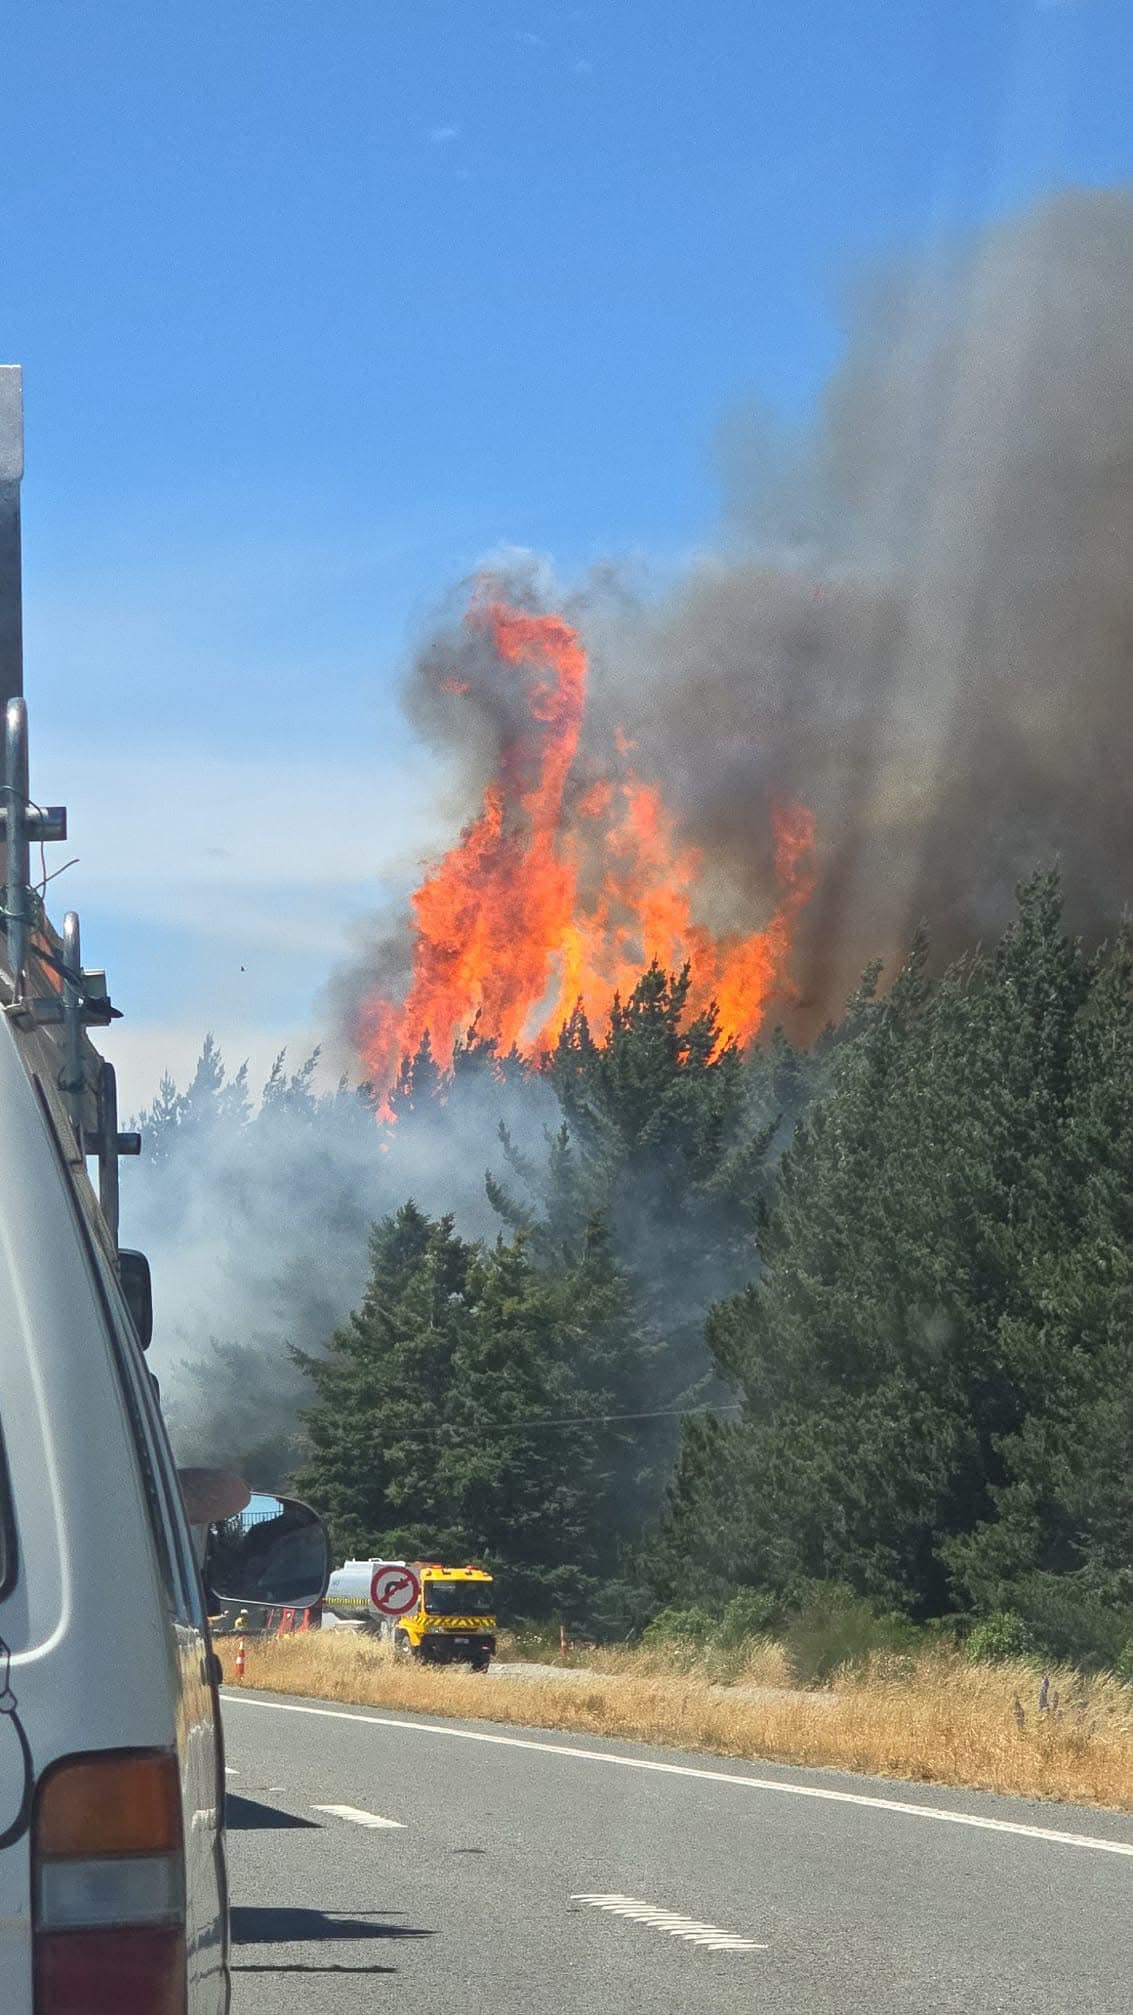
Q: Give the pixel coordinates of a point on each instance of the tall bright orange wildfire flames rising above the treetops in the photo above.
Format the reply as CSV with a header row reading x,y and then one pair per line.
x,y
568,886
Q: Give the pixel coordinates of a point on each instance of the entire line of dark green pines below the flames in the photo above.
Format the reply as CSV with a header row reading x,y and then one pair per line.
x,y
856,1315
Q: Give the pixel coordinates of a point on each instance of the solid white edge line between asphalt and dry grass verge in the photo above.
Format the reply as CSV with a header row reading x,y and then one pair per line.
x,y
711,1776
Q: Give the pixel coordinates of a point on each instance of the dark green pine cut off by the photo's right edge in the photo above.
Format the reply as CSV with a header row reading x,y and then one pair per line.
x,y
1057,1542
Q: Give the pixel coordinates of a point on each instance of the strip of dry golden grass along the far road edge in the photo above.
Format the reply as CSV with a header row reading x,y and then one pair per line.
x,y
932,1720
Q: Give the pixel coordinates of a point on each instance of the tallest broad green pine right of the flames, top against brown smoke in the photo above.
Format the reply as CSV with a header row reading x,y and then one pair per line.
x,y
894,1359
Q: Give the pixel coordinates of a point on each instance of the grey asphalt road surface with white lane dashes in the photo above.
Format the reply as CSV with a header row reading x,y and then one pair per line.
x,y
721,1887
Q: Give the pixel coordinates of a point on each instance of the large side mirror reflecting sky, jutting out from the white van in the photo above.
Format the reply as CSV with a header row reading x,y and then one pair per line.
x,y
275,1553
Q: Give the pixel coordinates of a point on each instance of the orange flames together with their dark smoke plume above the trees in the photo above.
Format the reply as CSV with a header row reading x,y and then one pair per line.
x,y
894,692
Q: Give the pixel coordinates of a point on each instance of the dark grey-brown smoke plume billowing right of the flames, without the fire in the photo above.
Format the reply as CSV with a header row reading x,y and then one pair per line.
x,y
918,618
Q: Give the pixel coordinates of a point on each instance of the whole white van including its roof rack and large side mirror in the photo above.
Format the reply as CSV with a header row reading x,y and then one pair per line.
x,y
112,1772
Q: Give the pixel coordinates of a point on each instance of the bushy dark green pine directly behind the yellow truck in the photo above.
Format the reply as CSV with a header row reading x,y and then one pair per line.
x,y
465,1412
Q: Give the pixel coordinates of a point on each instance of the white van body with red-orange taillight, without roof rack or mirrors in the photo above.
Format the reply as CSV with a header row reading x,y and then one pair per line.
x,y
112,1778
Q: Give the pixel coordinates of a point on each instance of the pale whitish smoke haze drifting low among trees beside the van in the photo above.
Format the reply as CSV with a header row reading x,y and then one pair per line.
x,y
257,1214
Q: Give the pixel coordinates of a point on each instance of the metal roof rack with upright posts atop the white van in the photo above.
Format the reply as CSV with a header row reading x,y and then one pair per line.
x,y
45,988
